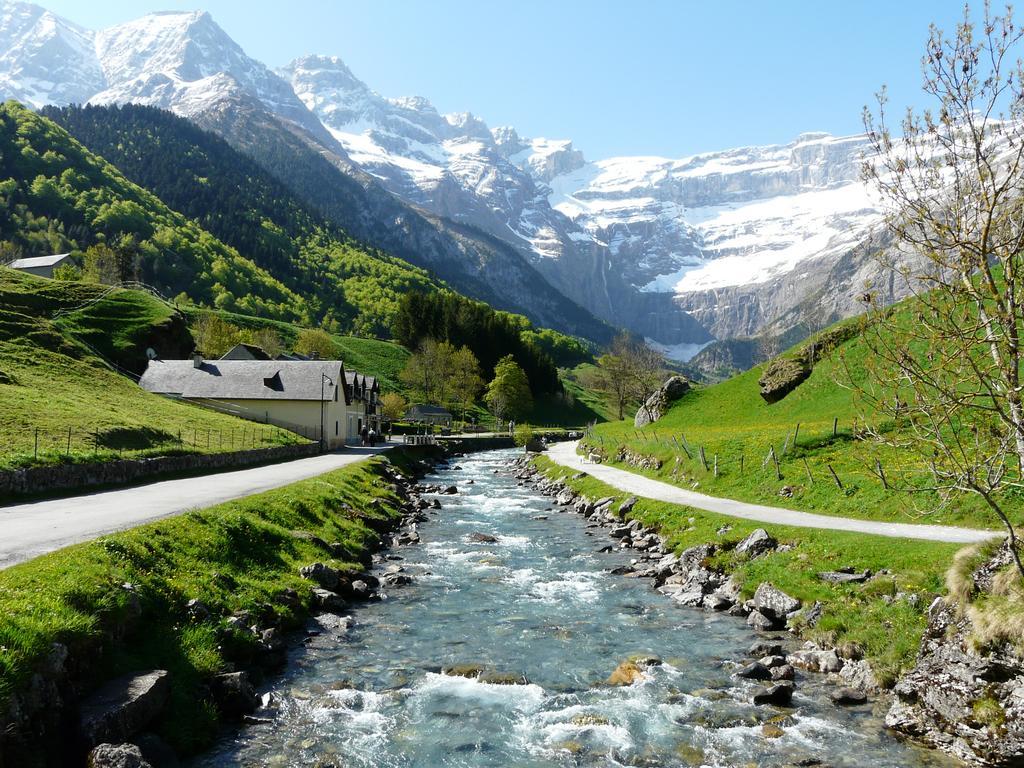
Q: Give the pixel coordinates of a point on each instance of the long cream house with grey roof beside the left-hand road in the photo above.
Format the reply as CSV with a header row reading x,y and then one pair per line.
x,y
311,398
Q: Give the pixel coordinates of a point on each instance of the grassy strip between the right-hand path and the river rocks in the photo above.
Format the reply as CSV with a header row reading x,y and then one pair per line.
x,y
883,619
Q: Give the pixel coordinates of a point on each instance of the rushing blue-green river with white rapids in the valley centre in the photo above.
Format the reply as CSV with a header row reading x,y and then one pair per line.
x,y
538,604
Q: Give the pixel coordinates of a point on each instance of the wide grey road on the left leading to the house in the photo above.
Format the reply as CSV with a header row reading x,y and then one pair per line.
x,y
31,530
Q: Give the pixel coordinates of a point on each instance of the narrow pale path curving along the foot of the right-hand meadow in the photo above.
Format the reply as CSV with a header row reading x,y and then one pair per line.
x,y
565,454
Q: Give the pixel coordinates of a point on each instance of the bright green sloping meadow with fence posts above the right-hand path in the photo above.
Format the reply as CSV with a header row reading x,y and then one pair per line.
x,y
733,422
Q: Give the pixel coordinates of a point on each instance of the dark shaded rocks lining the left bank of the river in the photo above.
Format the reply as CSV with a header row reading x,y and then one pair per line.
x,y
116,724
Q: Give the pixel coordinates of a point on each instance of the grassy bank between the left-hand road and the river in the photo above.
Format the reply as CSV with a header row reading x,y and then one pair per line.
x,y
239,557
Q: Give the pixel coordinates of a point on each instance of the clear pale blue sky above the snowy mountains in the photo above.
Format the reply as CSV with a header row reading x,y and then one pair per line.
x,y
661,77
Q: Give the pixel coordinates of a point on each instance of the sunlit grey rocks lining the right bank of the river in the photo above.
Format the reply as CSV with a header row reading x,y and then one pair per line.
x,y
691,580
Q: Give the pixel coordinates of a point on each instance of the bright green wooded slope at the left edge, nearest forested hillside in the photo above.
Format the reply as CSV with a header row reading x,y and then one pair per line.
x,y
56,196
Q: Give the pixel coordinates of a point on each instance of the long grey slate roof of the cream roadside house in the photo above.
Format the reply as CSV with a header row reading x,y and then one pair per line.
x,y
244,380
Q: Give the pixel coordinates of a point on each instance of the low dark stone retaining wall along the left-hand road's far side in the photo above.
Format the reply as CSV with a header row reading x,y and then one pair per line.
x,y
17,483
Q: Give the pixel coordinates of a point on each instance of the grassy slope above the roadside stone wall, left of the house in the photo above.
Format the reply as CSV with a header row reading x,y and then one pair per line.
x,y
52,382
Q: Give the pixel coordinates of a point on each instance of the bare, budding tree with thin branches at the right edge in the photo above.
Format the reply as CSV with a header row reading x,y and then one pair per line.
x,y
950,378
